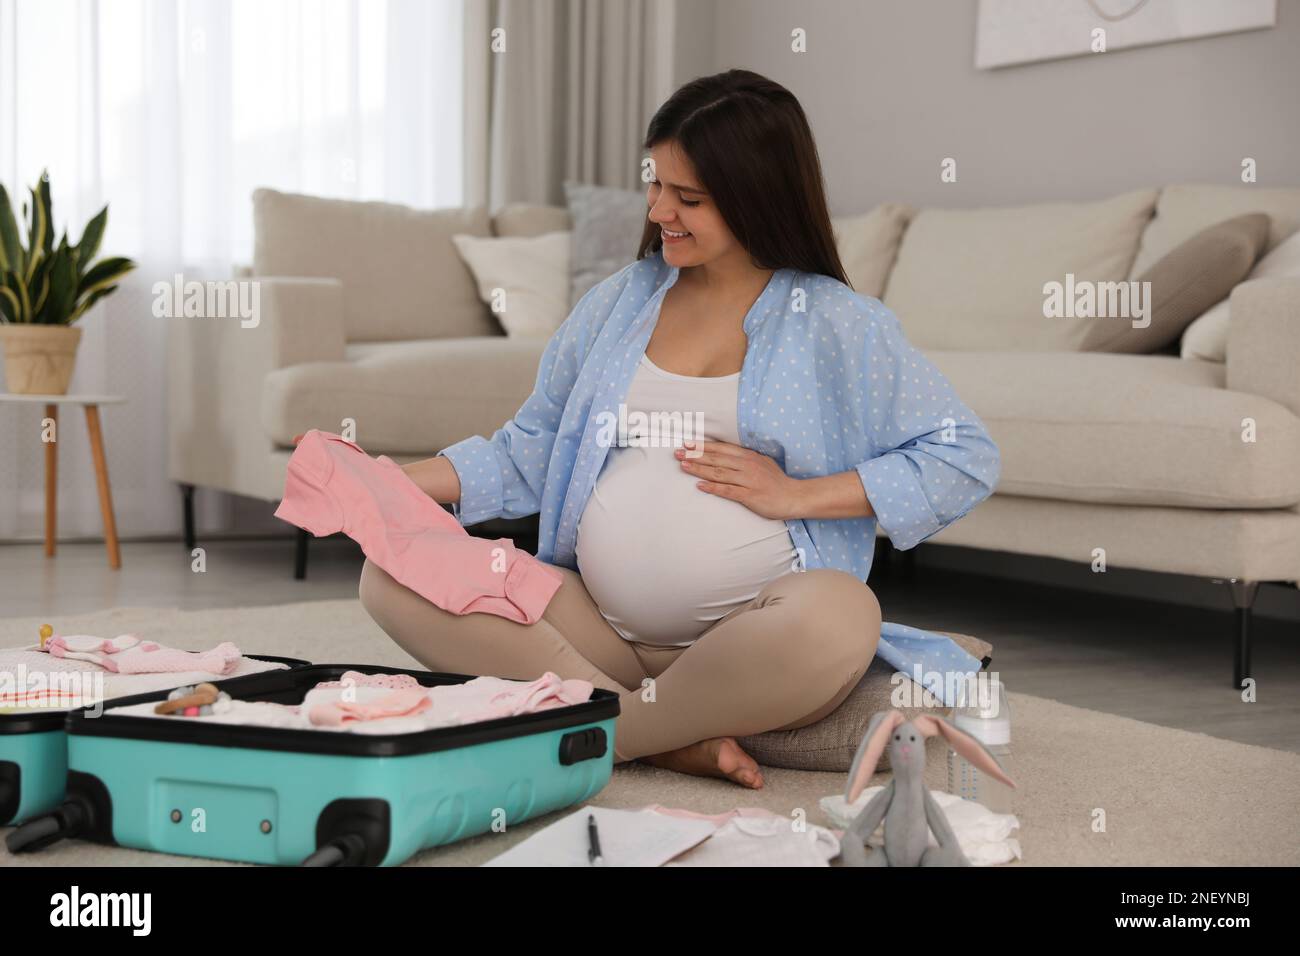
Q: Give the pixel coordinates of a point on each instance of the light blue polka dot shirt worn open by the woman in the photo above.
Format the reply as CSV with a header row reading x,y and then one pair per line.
x,y
829,384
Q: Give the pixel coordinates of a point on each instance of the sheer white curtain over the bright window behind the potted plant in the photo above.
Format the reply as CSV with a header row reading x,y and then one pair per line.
x,y
172,113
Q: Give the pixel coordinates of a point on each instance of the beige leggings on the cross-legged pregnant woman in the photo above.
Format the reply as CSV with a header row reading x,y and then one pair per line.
x,y
785,660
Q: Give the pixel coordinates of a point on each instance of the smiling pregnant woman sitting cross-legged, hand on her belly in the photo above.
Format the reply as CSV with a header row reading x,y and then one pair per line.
x,y
714,435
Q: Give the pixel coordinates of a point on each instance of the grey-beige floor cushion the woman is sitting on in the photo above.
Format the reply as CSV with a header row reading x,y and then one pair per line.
x,y
831,743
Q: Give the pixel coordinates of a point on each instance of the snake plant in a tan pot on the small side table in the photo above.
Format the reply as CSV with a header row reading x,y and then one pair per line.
x,y
45,289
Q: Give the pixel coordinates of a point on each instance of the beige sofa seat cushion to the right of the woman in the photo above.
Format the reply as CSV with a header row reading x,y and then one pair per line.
x,y
1128,430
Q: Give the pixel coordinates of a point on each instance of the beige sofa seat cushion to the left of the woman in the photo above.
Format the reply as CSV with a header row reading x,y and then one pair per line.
x,y
406,397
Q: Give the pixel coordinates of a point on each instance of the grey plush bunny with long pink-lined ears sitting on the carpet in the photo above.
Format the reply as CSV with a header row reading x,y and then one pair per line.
x,y
905,804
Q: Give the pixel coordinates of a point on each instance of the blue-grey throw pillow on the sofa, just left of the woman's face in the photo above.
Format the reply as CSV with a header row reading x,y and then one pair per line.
x,y
608,226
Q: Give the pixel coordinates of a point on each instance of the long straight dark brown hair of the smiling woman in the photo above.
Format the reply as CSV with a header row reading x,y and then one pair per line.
x,y
753,152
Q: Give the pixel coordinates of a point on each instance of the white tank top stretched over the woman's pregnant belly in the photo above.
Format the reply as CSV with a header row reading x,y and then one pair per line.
x,y
662,559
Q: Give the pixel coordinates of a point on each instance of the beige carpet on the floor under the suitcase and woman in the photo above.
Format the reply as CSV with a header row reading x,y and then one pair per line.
x,y
1169,797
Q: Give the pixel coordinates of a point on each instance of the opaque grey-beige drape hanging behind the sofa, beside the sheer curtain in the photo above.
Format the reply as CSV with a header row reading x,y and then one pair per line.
x,y
574,94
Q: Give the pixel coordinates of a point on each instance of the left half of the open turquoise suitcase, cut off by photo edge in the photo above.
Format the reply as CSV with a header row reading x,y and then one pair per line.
x,y
34,758
